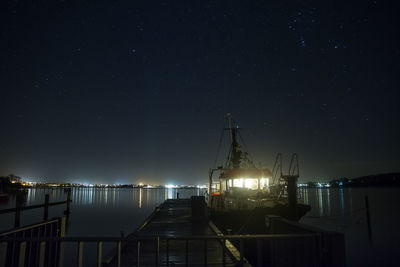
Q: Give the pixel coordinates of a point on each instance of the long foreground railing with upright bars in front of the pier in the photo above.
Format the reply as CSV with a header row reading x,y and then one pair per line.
x,y
264,247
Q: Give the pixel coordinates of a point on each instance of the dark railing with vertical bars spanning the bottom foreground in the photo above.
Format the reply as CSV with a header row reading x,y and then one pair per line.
x,y
80,241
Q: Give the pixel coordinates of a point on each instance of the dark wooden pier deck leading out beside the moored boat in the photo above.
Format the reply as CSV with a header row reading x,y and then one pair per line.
x,y
173,219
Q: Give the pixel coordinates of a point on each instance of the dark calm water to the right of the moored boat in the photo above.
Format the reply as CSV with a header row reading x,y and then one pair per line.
x,y
343,210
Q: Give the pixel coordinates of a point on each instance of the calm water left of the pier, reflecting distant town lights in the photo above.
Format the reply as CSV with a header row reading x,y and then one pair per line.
x,y
98,212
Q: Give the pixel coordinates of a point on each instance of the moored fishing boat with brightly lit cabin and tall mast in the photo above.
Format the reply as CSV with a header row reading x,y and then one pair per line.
x,y
244,194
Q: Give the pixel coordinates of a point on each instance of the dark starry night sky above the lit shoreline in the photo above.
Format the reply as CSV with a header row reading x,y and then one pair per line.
x,y
136,91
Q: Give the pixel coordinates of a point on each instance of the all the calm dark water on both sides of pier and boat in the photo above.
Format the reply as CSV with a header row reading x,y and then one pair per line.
x,y
108,212
